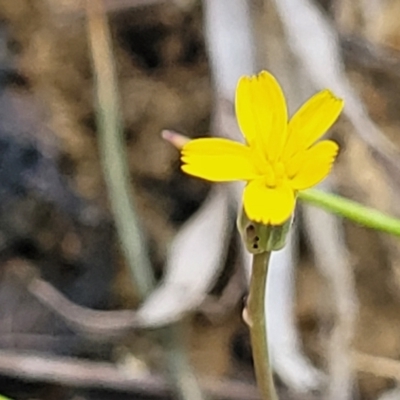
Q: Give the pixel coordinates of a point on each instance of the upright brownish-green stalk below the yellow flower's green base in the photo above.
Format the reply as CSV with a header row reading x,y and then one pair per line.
x,y
258,326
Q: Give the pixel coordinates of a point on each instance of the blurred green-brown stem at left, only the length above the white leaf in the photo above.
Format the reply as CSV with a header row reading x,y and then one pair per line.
x,y
112,148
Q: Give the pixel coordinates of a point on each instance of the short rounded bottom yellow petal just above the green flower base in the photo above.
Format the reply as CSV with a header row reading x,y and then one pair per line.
x,y
270,206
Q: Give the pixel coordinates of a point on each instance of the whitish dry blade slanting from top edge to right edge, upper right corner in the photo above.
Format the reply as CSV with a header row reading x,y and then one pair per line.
x,y
316,44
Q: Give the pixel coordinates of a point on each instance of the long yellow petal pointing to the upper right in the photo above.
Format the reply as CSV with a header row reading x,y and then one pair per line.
x,y
312,121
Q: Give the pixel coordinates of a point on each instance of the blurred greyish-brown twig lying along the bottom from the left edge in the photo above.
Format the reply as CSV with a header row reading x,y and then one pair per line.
x,y
77,373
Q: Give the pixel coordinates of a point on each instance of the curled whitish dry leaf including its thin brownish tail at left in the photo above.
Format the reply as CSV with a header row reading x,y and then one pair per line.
x,y
197,254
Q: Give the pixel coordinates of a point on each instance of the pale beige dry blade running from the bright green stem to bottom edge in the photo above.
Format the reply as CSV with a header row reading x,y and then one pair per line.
x,y
327,241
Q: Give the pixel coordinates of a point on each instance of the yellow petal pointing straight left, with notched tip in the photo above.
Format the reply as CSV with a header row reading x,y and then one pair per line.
x,y
218,160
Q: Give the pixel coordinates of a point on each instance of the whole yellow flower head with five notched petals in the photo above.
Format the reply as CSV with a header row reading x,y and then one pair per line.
x,y
280,157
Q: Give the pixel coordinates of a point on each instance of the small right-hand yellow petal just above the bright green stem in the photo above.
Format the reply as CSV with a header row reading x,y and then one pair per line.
x,y
317,163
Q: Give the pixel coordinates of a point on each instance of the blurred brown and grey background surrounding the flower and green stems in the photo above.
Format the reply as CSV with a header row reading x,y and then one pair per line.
x,y
334,299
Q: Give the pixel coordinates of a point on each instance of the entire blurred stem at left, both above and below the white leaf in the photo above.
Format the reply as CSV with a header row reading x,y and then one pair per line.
x,y
116,171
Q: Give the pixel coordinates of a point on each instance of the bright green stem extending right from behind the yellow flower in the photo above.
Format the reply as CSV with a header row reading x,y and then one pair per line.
x,y
352,210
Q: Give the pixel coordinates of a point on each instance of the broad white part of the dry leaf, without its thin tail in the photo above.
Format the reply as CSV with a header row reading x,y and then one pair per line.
x,y
195,258
